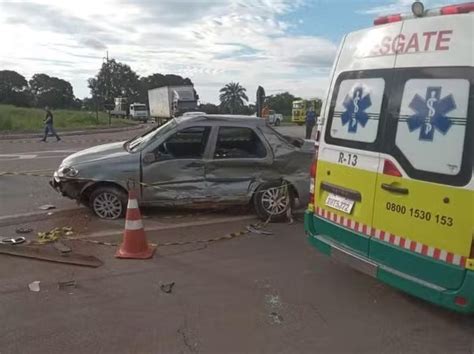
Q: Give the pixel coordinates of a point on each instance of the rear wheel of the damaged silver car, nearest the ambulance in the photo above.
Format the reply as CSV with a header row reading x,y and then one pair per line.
x,y
268,203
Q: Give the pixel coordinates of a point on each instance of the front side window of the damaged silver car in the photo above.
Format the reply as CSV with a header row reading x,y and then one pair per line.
x,y
185,144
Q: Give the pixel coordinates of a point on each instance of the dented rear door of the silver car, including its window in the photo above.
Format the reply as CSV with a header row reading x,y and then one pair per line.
x,y
240,156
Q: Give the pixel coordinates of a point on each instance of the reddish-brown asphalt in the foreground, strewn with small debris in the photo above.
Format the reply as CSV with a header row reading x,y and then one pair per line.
x,y
252,294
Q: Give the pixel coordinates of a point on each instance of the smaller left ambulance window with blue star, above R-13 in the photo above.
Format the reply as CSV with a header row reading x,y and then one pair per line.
x,y
357,110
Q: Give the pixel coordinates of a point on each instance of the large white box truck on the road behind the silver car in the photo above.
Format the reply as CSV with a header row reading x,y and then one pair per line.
x,y
171,101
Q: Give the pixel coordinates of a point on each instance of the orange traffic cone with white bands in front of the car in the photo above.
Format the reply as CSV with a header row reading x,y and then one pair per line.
x,y
134,243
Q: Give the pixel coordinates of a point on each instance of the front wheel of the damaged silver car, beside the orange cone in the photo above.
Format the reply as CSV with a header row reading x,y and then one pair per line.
x,y
108,202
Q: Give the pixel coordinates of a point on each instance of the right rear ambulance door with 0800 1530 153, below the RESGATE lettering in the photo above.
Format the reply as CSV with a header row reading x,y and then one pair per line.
x,y
424,187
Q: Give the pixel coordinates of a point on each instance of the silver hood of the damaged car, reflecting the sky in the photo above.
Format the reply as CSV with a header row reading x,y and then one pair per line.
x,y
96,153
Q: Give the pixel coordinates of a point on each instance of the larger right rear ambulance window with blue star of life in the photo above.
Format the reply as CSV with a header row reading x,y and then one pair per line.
x,y
431,126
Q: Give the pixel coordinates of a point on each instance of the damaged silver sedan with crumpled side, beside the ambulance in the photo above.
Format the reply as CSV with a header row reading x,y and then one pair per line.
x,y
193,161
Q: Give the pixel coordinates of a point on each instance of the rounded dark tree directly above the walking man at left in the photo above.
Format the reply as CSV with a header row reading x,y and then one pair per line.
x,y
51,91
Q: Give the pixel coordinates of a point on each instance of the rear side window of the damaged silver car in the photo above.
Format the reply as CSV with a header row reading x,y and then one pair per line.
x,y
238,142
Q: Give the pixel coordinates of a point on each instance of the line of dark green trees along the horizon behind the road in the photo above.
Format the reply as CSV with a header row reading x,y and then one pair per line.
x,y
115,79
